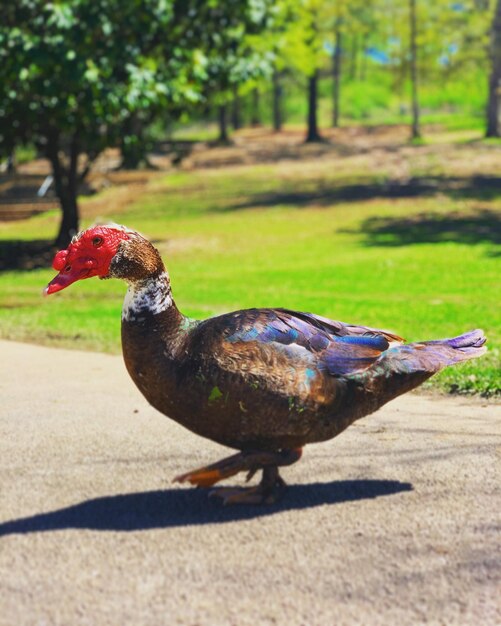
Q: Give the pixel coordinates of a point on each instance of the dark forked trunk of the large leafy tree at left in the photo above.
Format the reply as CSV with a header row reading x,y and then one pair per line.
x,y
66,186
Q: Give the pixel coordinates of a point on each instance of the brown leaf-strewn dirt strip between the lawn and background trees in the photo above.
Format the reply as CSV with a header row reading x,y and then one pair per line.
x,y
381,151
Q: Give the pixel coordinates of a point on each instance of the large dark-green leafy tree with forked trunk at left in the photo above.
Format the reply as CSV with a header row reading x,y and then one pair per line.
x,y
75,74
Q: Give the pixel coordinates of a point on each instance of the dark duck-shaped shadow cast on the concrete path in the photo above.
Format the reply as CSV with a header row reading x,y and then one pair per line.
x,y
189,507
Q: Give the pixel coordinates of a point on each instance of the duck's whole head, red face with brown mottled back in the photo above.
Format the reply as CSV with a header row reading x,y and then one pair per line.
x,y
103,251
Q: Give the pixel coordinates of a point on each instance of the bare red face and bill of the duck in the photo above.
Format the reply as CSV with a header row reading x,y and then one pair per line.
x,y
88,255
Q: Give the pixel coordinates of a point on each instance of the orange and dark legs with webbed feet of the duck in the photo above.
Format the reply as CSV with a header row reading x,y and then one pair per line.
x,y
269,489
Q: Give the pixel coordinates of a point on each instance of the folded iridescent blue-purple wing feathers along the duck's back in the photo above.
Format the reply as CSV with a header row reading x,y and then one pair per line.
x,y
333,347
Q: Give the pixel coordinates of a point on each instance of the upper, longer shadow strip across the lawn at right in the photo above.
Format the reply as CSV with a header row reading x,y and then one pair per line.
x,y
325,193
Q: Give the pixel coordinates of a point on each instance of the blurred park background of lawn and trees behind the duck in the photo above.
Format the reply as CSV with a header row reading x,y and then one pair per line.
x,y
341,157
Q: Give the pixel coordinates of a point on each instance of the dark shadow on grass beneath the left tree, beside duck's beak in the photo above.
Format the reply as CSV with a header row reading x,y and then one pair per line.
x,y
26,255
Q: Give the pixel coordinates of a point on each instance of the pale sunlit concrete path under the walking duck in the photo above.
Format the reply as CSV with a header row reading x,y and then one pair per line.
x,y
394,522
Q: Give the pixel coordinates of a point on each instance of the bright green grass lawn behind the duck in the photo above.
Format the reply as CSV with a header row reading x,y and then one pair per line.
x,y
260,236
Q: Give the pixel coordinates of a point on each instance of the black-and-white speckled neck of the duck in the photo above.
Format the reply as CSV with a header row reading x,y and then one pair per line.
x,y
147,297
